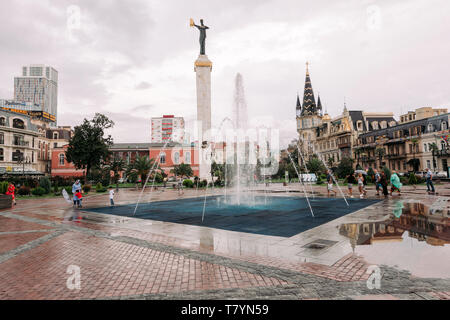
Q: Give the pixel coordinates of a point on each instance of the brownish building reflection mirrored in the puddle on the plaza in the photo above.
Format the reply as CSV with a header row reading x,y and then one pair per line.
x,y
418,220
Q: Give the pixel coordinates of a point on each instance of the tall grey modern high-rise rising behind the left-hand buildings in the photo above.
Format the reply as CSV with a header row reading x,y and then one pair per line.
x,y
38,85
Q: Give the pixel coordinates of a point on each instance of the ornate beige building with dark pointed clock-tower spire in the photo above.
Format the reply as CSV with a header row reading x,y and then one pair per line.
x,y
332,139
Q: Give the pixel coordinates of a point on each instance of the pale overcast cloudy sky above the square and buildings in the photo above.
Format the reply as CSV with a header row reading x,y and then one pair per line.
x,y
134,59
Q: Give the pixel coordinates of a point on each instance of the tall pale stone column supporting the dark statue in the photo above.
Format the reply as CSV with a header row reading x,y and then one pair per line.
x,y
203,67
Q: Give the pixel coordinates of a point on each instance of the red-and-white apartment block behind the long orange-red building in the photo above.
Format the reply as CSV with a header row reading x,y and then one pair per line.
x,y
167,128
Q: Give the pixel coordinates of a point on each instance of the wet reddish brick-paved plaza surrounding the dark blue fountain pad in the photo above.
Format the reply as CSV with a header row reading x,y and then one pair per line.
x,y
405,240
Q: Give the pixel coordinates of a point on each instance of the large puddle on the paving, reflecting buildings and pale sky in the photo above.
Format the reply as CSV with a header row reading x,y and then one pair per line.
x,y
416,237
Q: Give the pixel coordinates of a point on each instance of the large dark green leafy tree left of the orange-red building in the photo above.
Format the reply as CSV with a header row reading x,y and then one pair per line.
x,y
88,147
